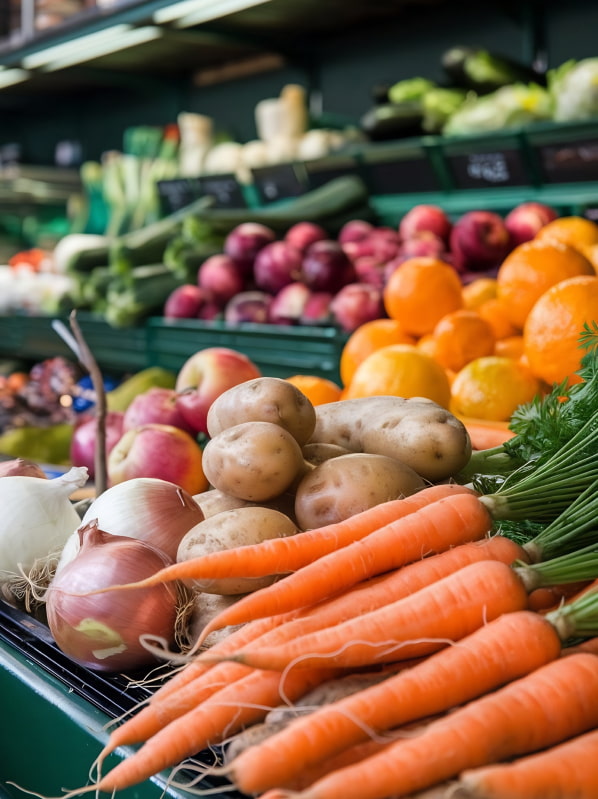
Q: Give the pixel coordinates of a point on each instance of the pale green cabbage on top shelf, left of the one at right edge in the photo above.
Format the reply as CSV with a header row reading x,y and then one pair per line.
x,y
511,106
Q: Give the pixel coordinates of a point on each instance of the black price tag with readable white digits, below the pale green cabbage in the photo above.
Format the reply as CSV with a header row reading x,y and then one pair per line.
x,y
481,170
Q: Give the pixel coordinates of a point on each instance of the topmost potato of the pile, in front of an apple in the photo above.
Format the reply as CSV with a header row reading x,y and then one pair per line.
x,y
264,399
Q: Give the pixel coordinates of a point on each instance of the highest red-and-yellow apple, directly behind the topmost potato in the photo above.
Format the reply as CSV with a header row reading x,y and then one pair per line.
x,y
207,374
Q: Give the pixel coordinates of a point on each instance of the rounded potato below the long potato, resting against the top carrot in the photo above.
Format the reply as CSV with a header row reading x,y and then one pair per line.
x,y
343,486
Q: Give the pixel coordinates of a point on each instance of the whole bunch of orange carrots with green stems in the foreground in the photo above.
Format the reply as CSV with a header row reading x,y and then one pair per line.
x,y
476,656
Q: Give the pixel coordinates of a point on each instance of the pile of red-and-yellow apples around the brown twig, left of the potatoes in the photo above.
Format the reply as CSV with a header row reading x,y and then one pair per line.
x,y
159,433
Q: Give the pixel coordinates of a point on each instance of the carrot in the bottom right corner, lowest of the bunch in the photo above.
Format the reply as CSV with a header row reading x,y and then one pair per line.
x,y
564,771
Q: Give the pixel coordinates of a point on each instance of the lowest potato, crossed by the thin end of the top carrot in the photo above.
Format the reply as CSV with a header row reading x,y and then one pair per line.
x,y
229,529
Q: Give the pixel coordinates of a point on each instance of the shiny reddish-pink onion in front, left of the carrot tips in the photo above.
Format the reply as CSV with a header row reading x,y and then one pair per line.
x,y
103,631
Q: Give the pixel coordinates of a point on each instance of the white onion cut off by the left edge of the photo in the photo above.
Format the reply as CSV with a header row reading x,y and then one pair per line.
x,y
37,519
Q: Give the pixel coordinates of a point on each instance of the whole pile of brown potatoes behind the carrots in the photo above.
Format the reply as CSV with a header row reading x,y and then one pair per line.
x,y
278,465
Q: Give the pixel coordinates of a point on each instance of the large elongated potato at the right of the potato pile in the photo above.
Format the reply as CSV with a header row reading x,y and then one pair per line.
x,y
417,431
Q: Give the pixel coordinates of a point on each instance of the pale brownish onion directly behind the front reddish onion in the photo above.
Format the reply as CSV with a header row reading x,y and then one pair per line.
x,y
146,508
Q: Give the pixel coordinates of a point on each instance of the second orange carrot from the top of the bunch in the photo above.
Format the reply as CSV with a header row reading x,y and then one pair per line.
x,y
435,527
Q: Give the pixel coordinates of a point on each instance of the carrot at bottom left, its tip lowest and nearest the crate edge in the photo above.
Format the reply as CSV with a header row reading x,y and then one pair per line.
x,y
244,702
